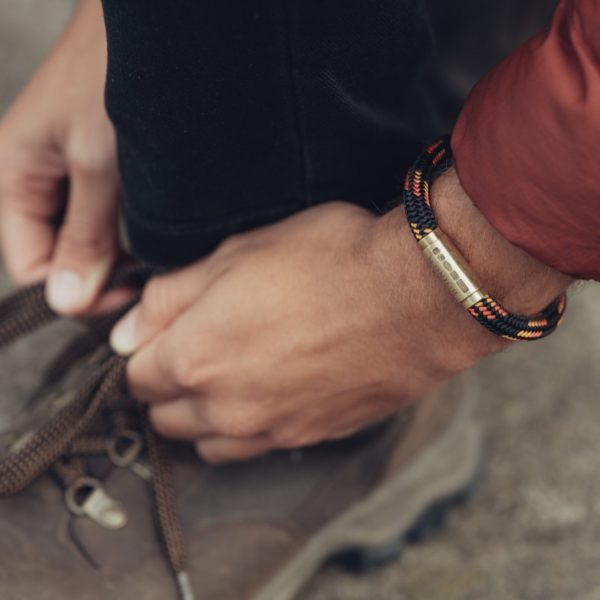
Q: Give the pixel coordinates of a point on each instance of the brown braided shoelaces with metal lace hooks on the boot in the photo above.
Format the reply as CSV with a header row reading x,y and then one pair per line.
x,y
97,419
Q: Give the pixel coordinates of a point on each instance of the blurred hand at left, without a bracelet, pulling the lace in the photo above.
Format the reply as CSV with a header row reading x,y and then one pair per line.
x,y
58,131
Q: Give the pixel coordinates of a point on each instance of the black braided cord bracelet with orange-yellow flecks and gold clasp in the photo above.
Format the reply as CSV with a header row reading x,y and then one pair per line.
x,y
446,259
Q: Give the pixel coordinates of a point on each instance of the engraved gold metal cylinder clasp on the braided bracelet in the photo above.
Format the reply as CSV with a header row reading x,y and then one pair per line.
x,y
448,262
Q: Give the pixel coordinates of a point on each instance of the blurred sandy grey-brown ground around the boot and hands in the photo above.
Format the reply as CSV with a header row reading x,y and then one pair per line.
x,y
532,530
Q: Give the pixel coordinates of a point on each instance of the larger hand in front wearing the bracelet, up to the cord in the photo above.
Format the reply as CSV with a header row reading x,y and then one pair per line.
x,y
296,333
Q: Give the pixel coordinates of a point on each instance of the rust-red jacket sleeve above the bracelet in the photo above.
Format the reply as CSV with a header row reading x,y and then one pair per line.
x,y
527,144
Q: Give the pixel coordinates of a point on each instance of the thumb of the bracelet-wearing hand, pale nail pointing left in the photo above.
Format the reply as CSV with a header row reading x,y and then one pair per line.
x,y
164,298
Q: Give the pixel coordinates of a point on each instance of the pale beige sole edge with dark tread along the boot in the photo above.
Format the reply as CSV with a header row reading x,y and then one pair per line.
x,y
409,507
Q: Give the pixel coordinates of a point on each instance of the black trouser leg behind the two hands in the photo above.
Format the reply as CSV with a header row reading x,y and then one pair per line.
x,y
232,114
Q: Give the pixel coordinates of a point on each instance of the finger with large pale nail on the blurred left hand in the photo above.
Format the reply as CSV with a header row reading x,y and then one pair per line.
x,y
87,243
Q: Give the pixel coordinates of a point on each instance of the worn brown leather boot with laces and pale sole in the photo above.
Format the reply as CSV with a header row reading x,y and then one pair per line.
x,y
89,507
